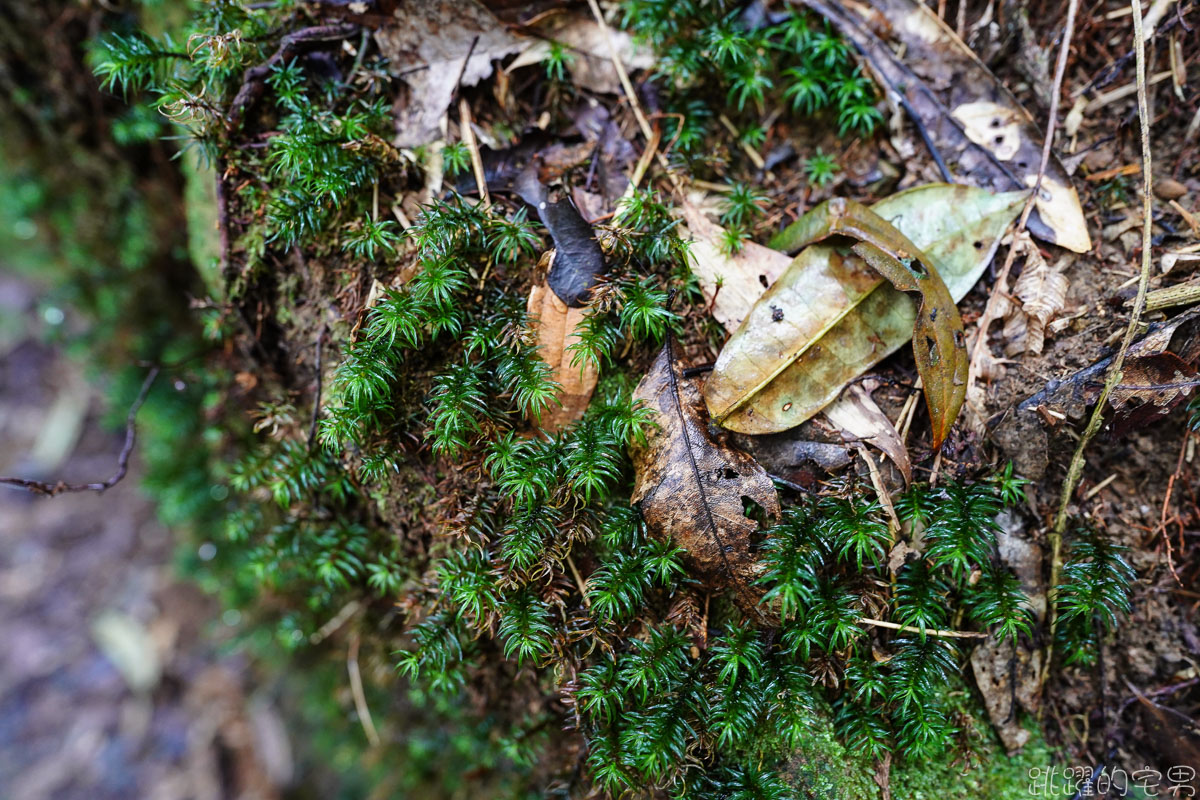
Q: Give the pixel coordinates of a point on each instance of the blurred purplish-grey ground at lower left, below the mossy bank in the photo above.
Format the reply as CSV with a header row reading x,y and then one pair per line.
x,y
113,683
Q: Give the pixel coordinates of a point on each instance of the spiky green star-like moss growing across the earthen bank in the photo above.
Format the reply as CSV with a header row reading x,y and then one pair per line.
x,y
399,488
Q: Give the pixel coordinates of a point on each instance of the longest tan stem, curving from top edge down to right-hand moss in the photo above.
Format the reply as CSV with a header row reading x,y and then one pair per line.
x,y
1076,472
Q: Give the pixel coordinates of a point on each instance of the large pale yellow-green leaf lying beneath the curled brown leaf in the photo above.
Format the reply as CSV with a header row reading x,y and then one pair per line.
x,y
831,317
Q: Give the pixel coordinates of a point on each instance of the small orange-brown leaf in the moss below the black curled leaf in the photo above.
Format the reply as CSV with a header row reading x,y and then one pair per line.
x,y
556,324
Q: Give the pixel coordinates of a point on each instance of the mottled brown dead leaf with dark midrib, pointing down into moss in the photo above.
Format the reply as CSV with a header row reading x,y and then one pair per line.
x,y
694,488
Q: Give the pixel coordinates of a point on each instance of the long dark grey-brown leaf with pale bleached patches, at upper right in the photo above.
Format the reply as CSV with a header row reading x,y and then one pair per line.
x,y
980,133
